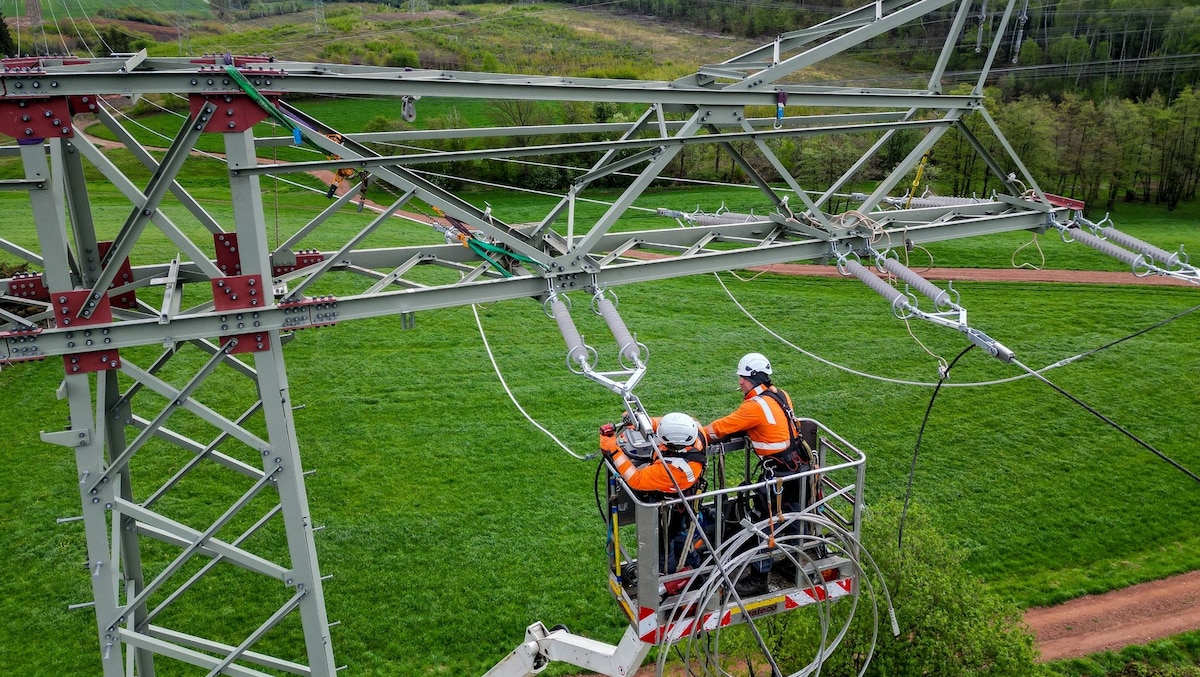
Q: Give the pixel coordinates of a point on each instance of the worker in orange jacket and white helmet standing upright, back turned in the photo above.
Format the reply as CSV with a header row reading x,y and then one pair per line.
x,y
765,417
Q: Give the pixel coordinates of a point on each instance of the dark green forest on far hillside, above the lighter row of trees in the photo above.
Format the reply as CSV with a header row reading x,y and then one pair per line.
x,y
1099,49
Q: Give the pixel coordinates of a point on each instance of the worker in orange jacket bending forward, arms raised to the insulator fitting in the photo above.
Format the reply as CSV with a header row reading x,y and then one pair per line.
x,y
677,465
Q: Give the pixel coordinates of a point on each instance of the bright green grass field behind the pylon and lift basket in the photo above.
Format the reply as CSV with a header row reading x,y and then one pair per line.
x,y
448,516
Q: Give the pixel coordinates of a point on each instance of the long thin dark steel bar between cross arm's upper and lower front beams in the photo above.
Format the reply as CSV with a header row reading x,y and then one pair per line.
x,y
585,147
